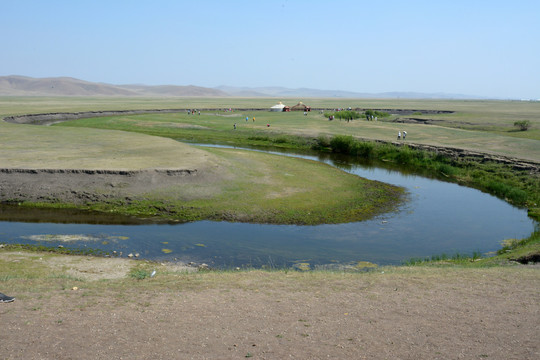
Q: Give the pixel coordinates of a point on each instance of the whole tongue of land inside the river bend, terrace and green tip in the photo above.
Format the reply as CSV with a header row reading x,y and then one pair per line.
x,y
204,184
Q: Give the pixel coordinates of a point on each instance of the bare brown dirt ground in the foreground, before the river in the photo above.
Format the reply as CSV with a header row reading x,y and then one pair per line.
x,y
390,313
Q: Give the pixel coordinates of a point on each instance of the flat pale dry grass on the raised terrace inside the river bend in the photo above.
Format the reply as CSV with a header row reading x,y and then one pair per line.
x,y
38,147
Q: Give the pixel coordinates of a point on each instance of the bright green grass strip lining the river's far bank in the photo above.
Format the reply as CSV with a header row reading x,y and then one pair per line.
x,y
518,187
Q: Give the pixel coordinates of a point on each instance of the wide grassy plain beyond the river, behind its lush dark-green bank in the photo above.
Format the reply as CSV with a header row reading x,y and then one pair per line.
x,y
485,126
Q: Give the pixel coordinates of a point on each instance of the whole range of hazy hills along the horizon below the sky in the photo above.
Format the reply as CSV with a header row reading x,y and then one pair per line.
x,y
65,86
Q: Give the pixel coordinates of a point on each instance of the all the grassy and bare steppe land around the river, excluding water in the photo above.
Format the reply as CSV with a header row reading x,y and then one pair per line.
x,y
85,307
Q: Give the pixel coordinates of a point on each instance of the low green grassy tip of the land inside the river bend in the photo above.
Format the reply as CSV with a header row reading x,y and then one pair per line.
x,y
266,188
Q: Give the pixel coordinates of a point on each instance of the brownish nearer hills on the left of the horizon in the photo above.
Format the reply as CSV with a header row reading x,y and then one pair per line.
x,y
65,86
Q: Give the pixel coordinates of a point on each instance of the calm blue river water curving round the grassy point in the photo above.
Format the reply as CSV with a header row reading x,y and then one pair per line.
x,y
438,218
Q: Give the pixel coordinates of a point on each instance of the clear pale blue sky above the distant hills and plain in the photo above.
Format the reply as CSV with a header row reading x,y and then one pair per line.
x,y
477,47
